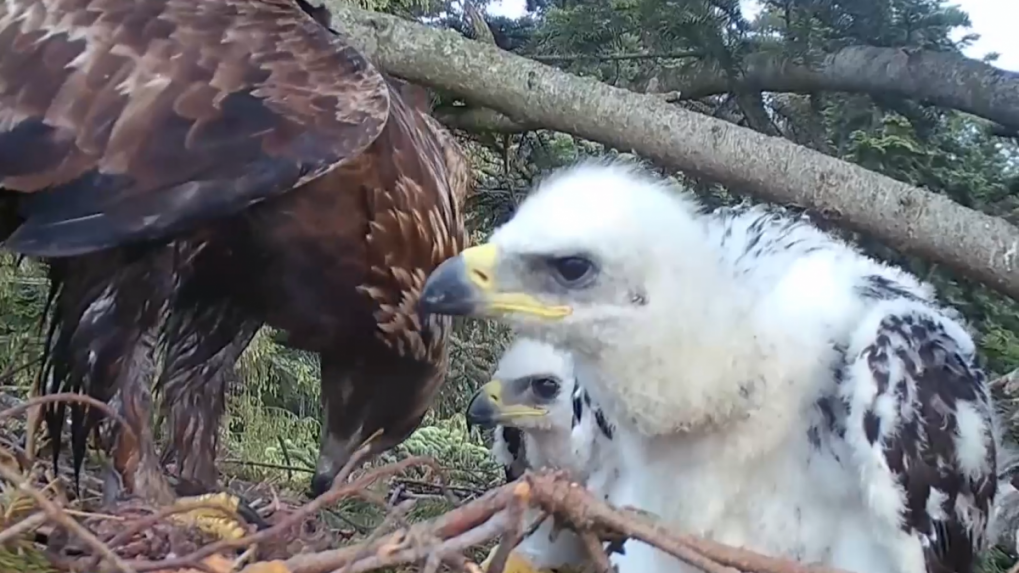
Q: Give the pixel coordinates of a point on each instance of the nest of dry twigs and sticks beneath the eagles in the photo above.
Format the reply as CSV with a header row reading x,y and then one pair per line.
x,y
44,530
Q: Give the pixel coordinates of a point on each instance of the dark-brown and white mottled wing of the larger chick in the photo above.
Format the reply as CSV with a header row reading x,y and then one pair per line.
x,y
922,429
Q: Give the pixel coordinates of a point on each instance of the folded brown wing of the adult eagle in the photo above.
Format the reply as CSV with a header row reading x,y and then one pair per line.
x,y
126,121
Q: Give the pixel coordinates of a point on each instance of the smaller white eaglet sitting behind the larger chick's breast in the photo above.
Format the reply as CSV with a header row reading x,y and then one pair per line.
x,y
533,404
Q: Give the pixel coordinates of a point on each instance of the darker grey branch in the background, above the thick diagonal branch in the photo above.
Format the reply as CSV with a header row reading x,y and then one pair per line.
x,y
943,79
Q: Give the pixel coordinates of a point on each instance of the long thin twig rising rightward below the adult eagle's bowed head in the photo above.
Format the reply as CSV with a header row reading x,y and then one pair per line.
x,y
339,492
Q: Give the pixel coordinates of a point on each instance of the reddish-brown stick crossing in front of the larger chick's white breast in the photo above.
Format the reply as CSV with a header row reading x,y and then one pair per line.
x,y
561,496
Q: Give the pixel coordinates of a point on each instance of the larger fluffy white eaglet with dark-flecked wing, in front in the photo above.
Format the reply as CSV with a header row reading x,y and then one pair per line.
x,y
772,387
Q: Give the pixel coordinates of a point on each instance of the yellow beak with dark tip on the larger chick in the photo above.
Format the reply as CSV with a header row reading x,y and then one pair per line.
x,y
467,286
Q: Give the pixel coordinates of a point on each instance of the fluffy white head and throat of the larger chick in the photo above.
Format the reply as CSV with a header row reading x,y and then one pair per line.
x,y
616,267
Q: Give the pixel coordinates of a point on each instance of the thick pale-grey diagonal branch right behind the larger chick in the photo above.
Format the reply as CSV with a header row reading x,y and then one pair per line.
x,y
905,218
